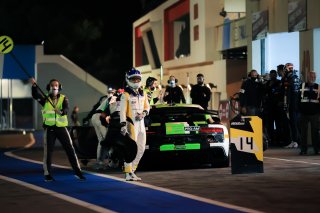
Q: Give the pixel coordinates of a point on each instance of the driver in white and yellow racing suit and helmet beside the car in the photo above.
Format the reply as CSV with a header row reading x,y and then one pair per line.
x,y
134,106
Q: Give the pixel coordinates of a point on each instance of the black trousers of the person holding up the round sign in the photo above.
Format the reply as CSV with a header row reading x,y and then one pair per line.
x,y
61,133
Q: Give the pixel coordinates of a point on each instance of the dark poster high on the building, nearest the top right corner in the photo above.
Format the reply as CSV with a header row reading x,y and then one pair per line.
x,y
297,15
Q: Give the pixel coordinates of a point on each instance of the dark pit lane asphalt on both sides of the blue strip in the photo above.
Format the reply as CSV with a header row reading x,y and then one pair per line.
x,y
290,183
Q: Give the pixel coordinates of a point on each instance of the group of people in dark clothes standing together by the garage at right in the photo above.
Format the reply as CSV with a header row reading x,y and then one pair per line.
x,y
286,105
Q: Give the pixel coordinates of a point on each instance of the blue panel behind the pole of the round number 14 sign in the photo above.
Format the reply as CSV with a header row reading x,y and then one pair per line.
x,y
26,55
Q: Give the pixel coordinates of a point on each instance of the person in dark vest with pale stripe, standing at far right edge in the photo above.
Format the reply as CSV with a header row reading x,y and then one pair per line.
x,y
309,105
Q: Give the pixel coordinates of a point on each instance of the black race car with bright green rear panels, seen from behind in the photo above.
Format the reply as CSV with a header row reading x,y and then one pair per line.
x,y
185,132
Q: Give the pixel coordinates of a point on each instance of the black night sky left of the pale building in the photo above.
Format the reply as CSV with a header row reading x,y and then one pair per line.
x,y
83,31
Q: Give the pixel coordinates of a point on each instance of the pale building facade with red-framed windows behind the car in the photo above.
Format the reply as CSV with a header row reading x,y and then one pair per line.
x,y
224,39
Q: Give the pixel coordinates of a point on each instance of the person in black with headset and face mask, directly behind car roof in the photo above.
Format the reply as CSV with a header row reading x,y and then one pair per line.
x,y
173,93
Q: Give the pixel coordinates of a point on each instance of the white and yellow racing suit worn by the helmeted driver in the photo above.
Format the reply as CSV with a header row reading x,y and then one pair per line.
x,y
133,103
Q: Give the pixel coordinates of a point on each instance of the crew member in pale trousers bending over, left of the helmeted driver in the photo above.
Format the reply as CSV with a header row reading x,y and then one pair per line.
x,y
99,120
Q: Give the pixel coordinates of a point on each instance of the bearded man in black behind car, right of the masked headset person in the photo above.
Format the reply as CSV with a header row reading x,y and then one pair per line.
x,y
200,93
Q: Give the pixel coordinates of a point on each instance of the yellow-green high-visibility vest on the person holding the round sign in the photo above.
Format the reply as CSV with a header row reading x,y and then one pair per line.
x,y
50,117
